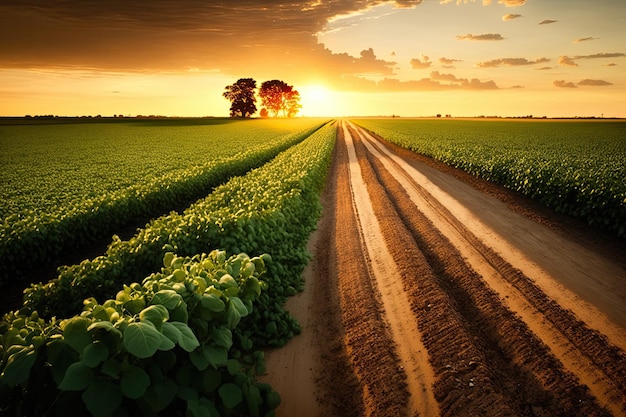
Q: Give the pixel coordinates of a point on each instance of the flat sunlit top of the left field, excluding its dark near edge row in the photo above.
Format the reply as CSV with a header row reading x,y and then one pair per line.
x,y
49,168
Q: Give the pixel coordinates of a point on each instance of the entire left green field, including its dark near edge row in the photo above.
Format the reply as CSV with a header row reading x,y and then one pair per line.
x,y
64,186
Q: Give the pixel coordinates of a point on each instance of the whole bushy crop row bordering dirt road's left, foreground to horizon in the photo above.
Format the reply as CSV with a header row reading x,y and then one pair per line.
x,y
182,341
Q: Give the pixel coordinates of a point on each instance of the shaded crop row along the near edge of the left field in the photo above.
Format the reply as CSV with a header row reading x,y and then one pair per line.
x,y
35,239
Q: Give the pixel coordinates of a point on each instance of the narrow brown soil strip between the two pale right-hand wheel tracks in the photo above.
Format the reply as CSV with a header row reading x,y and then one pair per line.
x,y
582,351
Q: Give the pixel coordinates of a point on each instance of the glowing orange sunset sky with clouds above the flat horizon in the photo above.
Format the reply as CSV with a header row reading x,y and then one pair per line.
x,y
346,57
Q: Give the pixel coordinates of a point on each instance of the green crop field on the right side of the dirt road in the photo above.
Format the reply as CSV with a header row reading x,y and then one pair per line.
x,y
575,167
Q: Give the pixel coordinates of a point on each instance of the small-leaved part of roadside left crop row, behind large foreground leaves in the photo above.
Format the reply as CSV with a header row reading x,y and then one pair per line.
x,y
272,209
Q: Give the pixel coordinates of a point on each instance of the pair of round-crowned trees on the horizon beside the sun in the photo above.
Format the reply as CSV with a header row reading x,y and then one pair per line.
x,y
276,97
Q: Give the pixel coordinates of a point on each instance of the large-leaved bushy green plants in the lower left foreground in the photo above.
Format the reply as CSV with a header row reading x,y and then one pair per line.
x,y
117,359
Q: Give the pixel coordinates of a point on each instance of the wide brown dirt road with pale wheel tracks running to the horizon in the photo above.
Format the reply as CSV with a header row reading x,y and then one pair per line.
x,y
428,296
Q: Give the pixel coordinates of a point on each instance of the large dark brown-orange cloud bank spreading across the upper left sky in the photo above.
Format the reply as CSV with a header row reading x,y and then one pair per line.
x,y
175,35
